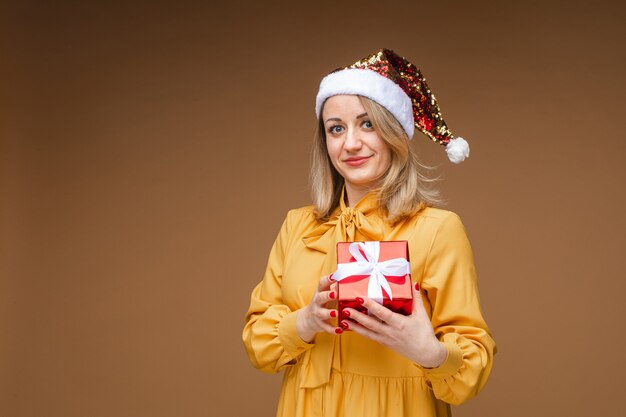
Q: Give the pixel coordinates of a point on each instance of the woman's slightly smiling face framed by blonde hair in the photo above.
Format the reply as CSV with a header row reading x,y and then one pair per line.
x,y
355,148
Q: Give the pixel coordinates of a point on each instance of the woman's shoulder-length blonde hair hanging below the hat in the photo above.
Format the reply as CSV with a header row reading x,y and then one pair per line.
x,y
403,190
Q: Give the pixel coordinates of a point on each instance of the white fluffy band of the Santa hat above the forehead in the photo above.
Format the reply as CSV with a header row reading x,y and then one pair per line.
x,y
372,85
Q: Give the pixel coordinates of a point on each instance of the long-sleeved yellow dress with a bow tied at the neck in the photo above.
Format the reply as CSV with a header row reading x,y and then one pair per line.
x,y
351,376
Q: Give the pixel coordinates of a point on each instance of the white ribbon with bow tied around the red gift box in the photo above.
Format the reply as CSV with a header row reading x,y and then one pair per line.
x,y
369,265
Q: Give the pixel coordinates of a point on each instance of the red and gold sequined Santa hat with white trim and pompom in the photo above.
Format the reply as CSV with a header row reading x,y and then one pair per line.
x,y
399,86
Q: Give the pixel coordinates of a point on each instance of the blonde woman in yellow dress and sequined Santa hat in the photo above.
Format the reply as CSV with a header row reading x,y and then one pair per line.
x,y
366,187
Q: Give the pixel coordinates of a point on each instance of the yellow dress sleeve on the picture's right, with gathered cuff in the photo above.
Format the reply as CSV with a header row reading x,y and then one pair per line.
x,y
451,287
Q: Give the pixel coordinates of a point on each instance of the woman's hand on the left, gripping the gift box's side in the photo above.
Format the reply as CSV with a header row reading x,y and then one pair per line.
x,y
313,318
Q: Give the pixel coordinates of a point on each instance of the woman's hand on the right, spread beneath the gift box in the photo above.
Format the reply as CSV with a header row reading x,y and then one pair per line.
x,y
411,336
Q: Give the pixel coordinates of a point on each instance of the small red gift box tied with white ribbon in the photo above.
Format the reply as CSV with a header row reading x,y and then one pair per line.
x,y
376,270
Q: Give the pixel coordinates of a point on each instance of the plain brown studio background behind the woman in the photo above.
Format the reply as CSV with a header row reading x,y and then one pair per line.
x,y
149,153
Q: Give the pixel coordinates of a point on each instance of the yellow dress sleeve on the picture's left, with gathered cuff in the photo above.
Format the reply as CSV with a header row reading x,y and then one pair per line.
x,y
269,335
